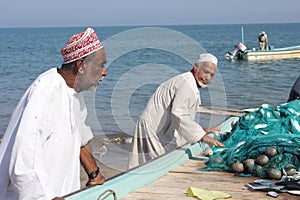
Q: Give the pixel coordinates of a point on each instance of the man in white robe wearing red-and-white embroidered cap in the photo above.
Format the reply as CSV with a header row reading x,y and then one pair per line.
x,y
47,137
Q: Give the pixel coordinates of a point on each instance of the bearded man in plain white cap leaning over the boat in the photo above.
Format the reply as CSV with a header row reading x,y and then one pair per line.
x,y
168,121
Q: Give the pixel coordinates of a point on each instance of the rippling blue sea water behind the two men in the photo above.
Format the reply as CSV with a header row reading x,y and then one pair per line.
x,y
27,52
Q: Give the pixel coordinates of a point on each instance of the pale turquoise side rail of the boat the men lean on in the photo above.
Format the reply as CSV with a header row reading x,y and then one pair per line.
x,y
138,177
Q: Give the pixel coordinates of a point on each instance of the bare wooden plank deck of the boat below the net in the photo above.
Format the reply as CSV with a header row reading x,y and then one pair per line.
x,y
174,184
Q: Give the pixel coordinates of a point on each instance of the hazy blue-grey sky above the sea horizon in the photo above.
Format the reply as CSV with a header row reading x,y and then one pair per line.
x,y
49,13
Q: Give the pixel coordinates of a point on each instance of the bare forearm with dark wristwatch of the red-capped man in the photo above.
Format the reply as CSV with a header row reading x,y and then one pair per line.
x,y
89,164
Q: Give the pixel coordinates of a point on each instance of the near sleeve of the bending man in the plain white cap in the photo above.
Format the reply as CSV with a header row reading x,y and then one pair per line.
x,y
184,108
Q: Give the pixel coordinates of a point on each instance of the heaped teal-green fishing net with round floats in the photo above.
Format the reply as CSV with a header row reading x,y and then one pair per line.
x,y
264,143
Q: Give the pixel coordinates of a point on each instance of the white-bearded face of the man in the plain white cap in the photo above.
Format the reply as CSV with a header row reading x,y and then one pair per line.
x,y
205,73
